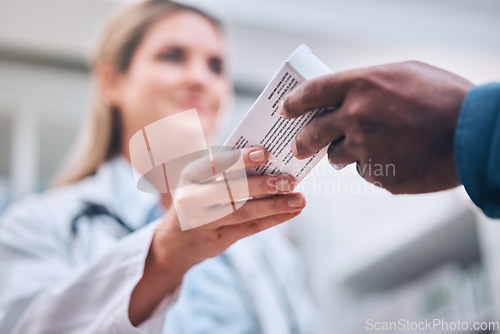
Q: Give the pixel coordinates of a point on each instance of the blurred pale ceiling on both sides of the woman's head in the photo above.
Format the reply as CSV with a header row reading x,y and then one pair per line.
x,y
461,35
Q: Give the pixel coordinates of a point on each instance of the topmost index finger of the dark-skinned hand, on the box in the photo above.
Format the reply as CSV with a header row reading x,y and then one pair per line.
x,y
325,91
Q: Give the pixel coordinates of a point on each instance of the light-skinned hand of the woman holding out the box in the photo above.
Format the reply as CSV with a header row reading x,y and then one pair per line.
x,y
202,200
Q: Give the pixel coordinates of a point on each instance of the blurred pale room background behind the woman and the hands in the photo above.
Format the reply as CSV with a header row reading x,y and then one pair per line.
x,y
370,255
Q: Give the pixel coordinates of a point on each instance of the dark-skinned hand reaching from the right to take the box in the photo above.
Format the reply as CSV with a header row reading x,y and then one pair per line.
x,y
396,121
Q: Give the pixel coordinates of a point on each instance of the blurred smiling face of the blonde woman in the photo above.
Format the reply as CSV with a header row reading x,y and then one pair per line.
x,y
178,65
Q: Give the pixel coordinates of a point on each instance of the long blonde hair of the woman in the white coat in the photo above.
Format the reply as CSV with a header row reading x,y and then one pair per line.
x,y
100,137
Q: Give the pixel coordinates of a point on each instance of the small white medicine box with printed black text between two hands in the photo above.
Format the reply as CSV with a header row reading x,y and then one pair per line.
x,y
263,126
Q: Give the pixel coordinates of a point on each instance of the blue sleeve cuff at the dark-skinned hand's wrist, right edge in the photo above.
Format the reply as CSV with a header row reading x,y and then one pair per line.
x,y
477,147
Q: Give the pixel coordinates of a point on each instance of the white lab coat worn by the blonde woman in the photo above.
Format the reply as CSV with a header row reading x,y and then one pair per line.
x,y
47,286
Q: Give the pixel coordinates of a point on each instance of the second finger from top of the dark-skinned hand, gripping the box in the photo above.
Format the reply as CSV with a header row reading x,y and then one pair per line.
x,y
319,132
